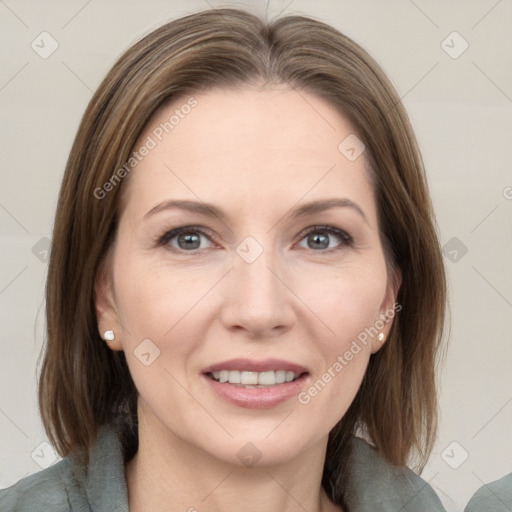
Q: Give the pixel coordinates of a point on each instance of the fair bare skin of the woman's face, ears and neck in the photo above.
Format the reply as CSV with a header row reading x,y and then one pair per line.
x,y
256,153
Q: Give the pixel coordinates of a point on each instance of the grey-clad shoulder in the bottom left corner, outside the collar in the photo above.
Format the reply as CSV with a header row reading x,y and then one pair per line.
x,y
41,491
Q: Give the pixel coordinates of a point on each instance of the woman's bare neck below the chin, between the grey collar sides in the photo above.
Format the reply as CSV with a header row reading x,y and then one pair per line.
x,y
168,473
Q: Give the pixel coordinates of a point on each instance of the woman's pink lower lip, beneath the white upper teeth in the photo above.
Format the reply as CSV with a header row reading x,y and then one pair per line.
x,y
256,398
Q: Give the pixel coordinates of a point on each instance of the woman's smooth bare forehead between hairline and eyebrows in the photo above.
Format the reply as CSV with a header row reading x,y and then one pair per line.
x,y
256,146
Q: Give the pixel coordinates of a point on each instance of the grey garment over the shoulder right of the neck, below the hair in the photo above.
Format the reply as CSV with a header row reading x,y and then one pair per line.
x,y
375,484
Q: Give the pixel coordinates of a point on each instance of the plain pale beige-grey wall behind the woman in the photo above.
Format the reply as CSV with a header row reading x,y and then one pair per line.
x,y
461,109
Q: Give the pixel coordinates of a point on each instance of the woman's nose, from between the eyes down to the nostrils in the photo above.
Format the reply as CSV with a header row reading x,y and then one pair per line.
x,y
257,300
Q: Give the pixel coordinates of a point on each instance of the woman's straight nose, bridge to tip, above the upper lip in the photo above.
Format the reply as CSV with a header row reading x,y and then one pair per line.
x,y
258,301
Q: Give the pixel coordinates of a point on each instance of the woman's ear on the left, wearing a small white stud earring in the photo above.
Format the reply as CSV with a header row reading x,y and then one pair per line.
x,y
104,303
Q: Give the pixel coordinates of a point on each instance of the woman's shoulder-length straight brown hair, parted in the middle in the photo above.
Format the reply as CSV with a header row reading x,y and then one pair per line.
x,y
83,384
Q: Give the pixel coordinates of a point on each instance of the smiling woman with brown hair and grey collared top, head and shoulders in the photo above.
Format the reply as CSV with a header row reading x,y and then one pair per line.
x,y
244,275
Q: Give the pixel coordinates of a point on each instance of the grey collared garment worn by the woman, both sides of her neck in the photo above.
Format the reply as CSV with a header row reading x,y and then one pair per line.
x,y
373,484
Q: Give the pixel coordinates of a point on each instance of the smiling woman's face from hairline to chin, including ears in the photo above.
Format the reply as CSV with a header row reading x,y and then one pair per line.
x,y
274,274
